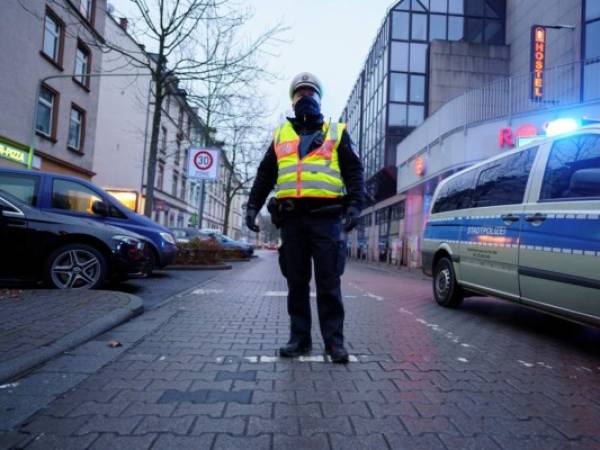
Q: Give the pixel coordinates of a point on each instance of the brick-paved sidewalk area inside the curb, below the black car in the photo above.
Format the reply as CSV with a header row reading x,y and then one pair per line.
x,y
31,319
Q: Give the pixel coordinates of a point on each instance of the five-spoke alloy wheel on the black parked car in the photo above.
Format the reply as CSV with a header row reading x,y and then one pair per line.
x,y
76,268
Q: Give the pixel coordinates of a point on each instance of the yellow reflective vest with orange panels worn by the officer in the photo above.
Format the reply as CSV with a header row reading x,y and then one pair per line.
x,y
317,175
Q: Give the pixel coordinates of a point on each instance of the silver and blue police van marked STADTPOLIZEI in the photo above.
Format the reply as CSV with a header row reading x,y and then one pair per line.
x,y
523,226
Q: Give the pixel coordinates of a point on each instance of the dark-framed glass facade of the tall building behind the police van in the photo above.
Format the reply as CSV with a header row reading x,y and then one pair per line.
x,y
389,99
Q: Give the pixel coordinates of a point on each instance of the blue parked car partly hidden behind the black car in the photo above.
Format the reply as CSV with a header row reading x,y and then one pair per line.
x,y
73,196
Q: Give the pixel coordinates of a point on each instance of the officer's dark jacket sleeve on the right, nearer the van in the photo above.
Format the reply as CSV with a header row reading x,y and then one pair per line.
x,y
352,171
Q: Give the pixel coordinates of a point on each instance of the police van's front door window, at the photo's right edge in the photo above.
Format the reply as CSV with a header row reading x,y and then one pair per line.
x,y
573,169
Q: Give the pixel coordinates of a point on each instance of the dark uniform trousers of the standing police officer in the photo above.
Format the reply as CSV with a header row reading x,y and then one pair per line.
x,y
320,239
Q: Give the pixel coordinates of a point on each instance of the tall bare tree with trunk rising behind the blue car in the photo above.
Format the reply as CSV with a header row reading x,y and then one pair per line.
x,y
192,42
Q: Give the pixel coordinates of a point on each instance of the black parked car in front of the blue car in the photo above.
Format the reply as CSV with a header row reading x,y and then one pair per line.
x,y
63,251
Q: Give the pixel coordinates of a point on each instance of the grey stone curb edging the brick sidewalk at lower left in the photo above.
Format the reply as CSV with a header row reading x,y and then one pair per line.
x,y
23,363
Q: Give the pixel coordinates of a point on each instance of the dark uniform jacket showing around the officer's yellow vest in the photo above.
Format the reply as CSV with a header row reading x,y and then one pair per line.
x,y
350,166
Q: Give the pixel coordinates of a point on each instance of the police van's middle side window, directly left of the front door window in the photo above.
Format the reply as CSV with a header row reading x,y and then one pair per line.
x,y
503,181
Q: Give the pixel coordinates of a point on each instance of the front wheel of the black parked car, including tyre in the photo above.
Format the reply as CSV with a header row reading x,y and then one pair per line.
x,y
75,266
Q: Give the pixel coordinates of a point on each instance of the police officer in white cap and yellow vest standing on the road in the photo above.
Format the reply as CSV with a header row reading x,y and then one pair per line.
x,y
318,179
